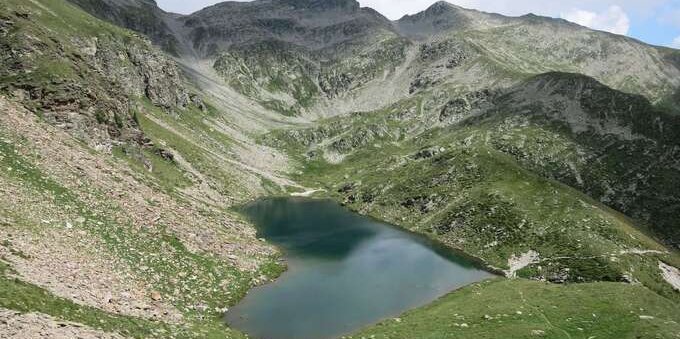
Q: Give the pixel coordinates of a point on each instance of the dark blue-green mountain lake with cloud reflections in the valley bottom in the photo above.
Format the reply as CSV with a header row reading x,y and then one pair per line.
x,y
345,271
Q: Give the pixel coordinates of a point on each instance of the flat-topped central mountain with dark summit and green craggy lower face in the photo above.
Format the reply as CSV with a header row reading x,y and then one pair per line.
x,y
294,55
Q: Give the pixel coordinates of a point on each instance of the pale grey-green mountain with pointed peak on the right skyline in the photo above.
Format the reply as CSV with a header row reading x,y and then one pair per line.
x,y
533,45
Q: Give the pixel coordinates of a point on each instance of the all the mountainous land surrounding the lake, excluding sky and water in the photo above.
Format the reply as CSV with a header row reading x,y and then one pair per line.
x,y
546,152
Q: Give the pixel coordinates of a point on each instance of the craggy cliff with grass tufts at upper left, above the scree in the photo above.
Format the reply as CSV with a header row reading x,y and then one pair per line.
x,y
89,83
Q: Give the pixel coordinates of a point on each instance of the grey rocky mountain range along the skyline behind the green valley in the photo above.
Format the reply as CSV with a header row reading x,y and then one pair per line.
x,y
334,57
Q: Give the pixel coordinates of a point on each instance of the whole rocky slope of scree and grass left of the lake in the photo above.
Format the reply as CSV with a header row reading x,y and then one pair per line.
x,y
116,179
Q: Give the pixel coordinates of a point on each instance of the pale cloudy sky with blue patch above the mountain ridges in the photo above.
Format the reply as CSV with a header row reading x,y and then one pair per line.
x,y
653,21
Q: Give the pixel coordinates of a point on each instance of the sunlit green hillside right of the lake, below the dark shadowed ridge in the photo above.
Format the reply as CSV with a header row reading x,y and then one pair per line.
x,y
497,207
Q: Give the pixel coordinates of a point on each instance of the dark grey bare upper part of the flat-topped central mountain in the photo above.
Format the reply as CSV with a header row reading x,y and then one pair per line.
x,y
312,24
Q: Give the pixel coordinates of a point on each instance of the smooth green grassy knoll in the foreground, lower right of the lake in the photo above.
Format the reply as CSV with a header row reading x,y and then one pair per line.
x,y
529,309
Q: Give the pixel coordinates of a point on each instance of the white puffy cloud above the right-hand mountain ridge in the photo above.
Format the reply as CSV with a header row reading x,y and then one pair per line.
x,y
614,19
